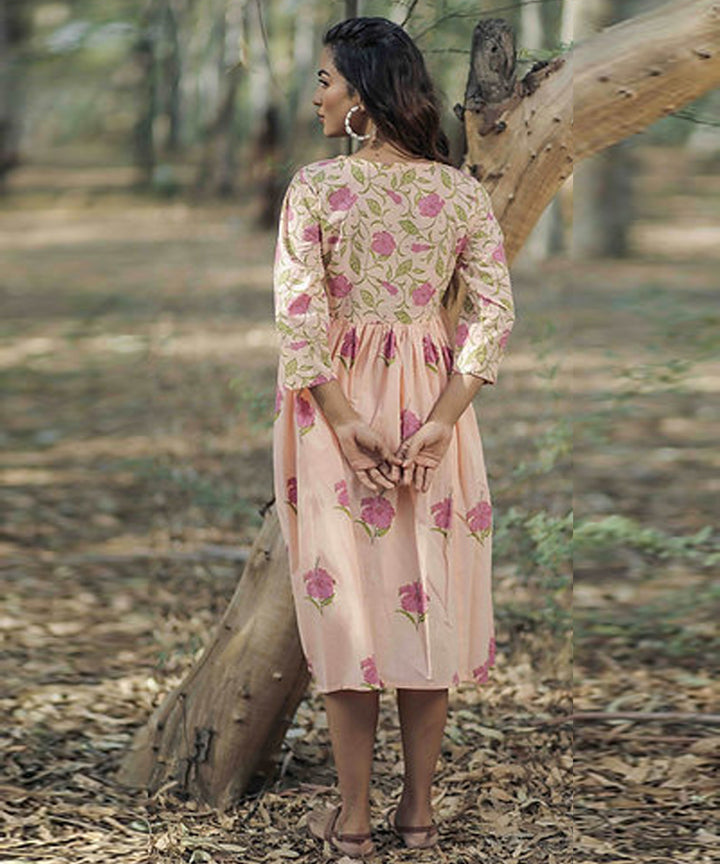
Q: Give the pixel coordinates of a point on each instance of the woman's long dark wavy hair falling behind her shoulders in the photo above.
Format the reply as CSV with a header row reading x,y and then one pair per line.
x,y
382,63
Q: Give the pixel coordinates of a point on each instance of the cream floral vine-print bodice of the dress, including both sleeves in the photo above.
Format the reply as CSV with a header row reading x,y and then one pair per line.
x,y
361,242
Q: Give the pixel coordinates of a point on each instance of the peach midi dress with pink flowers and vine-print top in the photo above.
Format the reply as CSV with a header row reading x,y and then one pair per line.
x,y
391,589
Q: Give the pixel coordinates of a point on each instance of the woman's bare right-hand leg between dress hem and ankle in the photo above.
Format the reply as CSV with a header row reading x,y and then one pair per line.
x,y
423,714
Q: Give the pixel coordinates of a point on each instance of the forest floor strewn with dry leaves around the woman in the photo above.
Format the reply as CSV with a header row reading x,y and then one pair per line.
x,y
137,356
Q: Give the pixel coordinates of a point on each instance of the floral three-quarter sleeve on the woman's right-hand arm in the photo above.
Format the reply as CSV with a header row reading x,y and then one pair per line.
x,y
488,312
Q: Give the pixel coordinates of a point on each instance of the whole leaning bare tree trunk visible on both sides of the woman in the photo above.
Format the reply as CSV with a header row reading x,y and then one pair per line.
x,y
232,710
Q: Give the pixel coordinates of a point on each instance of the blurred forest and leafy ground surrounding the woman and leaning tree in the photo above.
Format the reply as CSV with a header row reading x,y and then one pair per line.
x,y
144,149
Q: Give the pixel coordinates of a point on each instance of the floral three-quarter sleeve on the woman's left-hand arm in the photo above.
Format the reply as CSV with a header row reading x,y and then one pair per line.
x,y
302,315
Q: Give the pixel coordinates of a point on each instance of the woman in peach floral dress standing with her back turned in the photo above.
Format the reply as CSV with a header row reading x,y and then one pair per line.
x,y
379,474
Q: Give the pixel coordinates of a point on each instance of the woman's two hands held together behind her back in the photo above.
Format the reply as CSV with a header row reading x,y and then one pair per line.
x,y
376,466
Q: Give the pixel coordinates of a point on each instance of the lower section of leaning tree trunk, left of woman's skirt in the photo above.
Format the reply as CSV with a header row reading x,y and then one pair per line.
x,y
228,717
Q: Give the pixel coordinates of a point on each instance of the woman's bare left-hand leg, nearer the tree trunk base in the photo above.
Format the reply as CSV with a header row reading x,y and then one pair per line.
x,y
352,719
